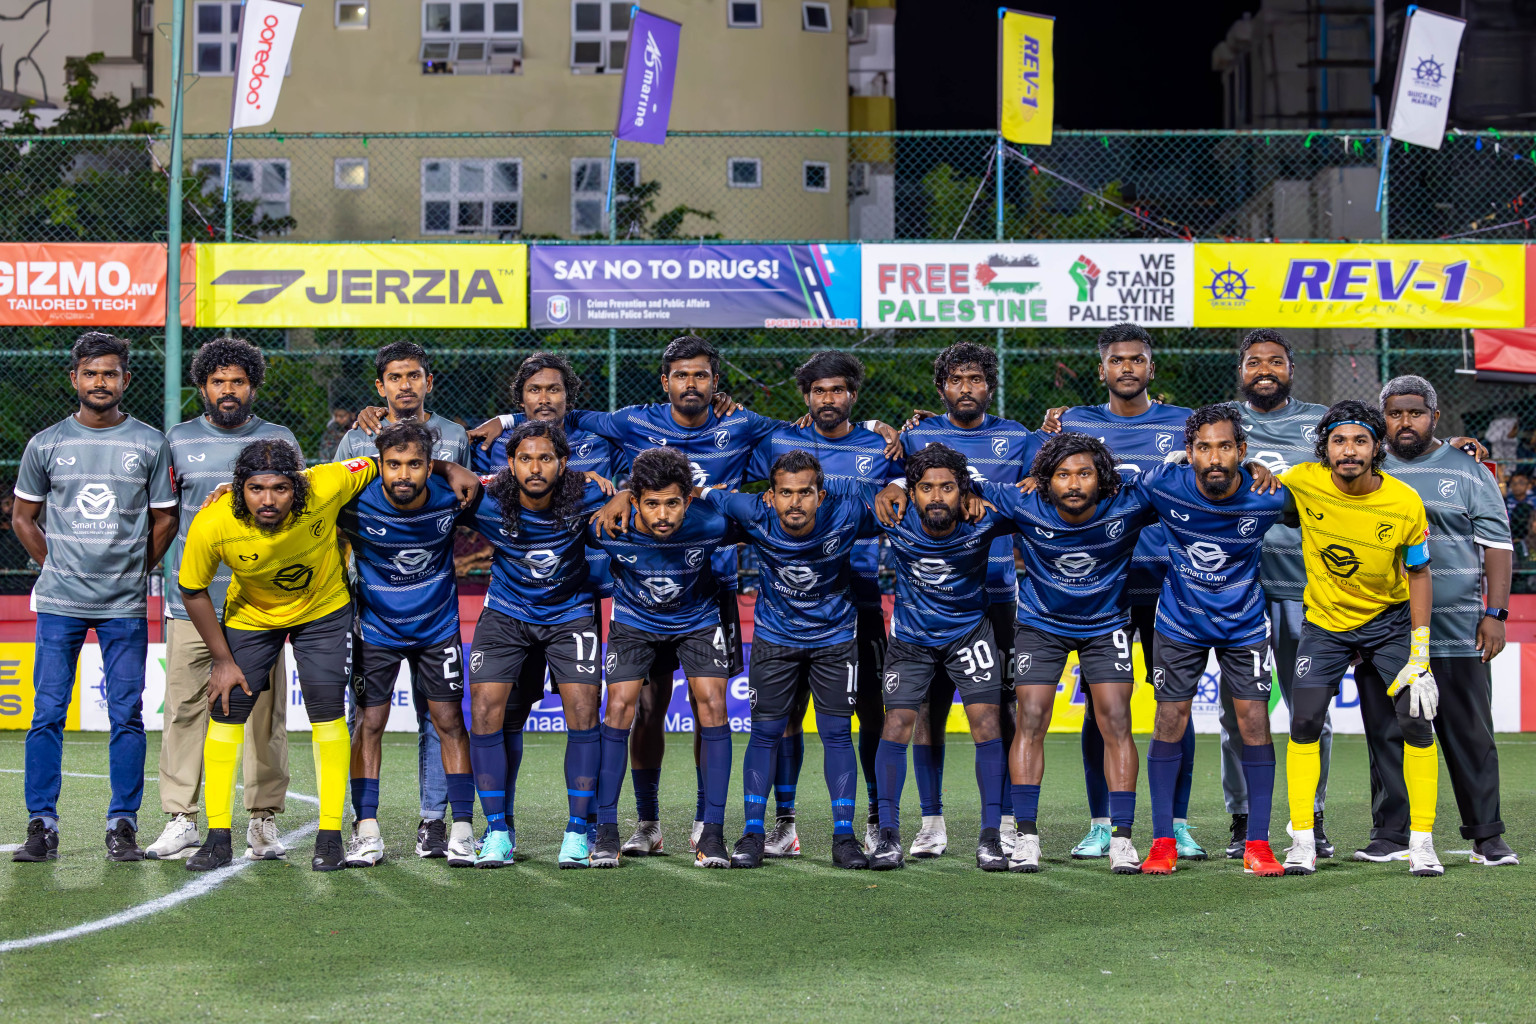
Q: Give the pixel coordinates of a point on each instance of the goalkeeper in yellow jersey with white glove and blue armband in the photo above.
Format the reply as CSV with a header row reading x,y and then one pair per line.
x,y
1365,541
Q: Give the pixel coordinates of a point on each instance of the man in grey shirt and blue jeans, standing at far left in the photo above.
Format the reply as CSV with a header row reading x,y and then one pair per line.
x,y
111,514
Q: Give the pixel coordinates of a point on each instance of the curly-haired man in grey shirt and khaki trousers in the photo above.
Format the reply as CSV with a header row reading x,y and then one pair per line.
x,y
227,372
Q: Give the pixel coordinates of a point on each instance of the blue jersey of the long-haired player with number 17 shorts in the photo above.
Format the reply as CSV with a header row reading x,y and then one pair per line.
x,y
540,570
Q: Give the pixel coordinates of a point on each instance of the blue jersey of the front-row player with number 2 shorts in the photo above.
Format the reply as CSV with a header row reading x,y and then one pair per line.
x,y
406,592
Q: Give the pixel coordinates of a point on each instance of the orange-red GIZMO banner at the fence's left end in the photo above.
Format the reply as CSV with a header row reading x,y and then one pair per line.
x,y
90,285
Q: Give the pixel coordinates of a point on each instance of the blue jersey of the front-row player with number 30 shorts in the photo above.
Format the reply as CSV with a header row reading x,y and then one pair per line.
x,y
941,583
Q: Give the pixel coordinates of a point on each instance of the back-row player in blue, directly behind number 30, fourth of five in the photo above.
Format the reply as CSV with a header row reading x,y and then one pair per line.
x,y
999,452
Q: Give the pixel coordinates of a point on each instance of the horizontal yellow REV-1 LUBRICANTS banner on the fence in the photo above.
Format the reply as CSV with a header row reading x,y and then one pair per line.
x,y
1268,285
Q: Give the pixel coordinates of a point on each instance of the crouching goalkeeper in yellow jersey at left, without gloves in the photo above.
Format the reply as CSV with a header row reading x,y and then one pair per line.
x,y
277,532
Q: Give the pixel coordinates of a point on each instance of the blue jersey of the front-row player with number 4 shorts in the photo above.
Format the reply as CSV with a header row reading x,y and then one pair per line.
x,y
667,586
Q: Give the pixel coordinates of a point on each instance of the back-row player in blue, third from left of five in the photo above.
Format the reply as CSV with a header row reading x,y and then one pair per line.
x,y
849,454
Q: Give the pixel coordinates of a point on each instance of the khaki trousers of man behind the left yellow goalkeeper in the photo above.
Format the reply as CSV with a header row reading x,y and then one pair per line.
x,y
188,670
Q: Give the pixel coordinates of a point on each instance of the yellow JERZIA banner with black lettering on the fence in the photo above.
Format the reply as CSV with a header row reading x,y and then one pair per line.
x,y
363,286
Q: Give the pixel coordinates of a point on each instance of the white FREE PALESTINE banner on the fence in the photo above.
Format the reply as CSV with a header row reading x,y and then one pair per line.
x,y
1028,285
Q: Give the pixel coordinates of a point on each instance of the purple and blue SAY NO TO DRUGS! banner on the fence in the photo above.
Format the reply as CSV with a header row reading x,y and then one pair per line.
x,y
694,286
